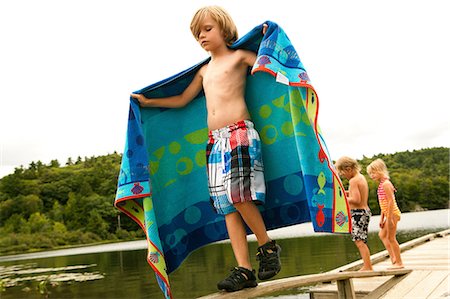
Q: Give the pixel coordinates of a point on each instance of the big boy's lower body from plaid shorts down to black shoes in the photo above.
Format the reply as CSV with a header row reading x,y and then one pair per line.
x,y
236,185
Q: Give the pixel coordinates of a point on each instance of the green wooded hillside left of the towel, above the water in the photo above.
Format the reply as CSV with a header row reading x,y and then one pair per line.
x,y
49,206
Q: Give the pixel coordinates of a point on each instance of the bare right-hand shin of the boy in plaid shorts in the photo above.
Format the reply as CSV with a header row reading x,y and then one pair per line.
x,y
252,217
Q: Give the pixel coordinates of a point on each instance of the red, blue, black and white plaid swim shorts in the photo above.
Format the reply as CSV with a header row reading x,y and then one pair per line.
x,y
235,167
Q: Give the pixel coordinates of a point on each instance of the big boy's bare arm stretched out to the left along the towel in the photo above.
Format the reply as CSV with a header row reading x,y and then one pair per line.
x,y
176,101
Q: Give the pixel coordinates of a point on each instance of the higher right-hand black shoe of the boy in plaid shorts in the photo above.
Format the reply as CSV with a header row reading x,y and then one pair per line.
x,y
269,260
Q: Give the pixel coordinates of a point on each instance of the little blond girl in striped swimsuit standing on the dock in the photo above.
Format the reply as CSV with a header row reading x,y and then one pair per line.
x,y
390,213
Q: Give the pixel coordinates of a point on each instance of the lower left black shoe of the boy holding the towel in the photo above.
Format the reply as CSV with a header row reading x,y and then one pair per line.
x,y
239,278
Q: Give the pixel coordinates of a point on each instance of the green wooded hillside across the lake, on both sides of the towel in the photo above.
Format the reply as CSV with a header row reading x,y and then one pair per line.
x,y
45,206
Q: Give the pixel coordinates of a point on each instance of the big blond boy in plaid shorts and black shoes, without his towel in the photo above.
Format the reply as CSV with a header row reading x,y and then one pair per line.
x,y
233,153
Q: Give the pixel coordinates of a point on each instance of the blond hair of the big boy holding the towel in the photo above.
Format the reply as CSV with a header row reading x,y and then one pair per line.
x,y
222,18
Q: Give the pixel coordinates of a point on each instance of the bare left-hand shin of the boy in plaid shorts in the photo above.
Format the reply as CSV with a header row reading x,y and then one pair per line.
x,y
238,238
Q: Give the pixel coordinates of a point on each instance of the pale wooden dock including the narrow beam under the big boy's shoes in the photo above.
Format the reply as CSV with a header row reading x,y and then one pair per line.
x,y
426,275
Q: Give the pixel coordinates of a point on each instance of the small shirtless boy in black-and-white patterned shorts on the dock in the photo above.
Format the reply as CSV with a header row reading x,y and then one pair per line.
x,y
357,197
